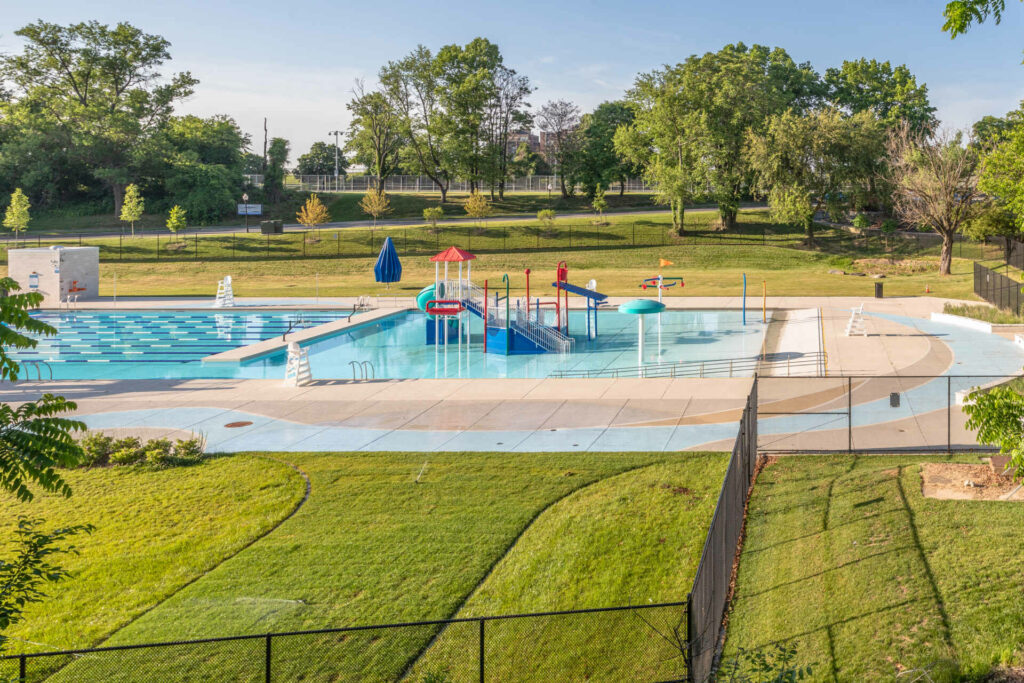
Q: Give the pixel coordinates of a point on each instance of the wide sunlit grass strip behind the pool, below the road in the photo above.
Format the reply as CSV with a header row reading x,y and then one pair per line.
x,y
619,255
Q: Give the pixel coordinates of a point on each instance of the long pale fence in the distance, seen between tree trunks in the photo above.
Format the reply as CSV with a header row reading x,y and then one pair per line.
x,y
422,184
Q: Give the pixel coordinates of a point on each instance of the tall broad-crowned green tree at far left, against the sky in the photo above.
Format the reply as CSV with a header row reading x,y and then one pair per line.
x,y
98,90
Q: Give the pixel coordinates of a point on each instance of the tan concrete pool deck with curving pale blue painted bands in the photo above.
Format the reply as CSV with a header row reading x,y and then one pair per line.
x,y
525,415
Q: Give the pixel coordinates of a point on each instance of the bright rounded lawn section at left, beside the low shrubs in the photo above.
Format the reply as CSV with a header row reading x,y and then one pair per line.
x,y
156,531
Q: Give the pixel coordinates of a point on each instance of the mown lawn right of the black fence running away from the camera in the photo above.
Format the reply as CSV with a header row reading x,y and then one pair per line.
x,y
848,563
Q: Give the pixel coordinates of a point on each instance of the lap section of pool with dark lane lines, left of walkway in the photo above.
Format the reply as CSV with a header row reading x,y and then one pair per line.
x,y
156,345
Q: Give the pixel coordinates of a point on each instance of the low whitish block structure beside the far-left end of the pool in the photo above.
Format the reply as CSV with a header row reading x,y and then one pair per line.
x,y
60,274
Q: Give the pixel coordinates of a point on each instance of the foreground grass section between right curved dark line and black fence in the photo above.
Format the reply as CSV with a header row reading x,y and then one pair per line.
x,y
629,540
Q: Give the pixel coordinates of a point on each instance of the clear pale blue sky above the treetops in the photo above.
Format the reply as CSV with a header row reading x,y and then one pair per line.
x,y
295,62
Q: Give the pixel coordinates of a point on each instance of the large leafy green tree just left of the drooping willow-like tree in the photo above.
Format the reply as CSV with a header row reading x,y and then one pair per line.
x,y
733,94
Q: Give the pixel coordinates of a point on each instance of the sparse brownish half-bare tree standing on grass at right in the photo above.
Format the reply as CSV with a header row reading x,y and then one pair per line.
x,y
935,179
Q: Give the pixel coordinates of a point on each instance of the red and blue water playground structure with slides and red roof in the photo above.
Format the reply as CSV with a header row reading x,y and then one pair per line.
x,y
511,326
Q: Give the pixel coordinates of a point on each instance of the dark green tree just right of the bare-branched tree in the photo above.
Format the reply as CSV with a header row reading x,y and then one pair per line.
x,y
600,163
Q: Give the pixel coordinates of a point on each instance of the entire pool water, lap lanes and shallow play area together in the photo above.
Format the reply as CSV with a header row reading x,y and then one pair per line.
x,y
173,345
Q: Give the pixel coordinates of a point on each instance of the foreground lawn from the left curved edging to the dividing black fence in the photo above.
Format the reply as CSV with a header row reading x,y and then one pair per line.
x,y
373,546
